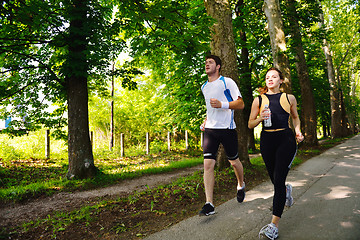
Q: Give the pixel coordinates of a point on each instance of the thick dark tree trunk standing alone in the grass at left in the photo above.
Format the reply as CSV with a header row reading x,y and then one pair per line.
x,y
81,162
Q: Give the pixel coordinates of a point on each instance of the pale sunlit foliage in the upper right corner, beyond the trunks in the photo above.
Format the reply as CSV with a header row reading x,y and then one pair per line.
x,y
342,20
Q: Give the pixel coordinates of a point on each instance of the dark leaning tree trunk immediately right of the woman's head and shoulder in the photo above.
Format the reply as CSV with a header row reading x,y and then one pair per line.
x,y
308,111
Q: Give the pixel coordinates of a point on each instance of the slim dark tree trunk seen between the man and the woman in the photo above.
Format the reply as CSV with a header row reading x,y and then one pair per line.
x,y
245,76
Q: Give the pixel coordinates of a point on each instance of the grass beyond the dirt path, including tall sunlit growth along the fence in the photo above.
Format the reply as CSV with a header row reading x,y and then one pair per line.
x,y
25,173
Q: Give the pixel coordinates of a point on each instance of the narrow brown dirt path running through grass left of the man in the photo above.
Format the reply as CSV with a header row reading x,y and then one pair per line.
x,y
12,215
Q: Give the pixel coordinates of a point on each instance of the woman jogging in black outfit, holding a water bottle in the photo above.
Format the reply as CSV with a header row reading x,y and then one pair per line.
x,y
277,142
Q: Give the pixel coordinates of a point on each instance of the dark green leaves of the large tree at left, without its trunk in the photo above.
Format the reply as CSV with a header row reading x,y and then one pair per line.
x,y
35,40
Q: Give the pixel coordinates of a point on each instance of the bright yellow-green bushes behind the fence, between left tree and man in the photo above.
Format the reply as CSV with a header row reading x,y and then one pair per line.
x,y
147,109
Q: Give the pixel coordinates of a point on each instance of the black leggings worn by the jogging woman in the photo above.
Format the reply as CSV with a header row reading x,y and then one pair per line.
x,y
278,150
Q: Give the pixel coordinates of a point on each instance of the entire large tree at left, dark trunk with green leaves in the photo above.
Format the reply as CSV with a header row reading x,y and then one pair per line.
x,y
54,53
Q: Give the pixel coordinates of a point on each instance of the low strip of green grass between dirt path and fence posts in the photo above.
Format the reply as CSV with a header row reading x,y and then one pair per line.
x,y
23,179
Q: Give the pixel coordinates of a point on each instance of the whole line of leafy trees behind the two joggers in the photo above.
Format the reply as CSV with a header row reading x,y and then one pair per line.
x,y
60,53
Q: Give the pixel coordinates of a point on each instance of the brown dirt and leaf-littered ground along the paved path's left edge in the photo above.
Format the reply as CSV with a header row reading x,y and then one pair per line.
x,y
119,219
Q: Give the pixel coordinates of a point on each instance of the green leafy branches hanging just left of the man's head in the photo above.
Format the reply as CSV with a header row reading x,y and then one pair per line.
x,y
171,38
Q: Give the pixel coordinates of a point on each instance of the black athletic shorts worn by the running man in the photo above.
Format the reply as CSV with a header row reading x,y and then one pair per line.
x,y
213,138
